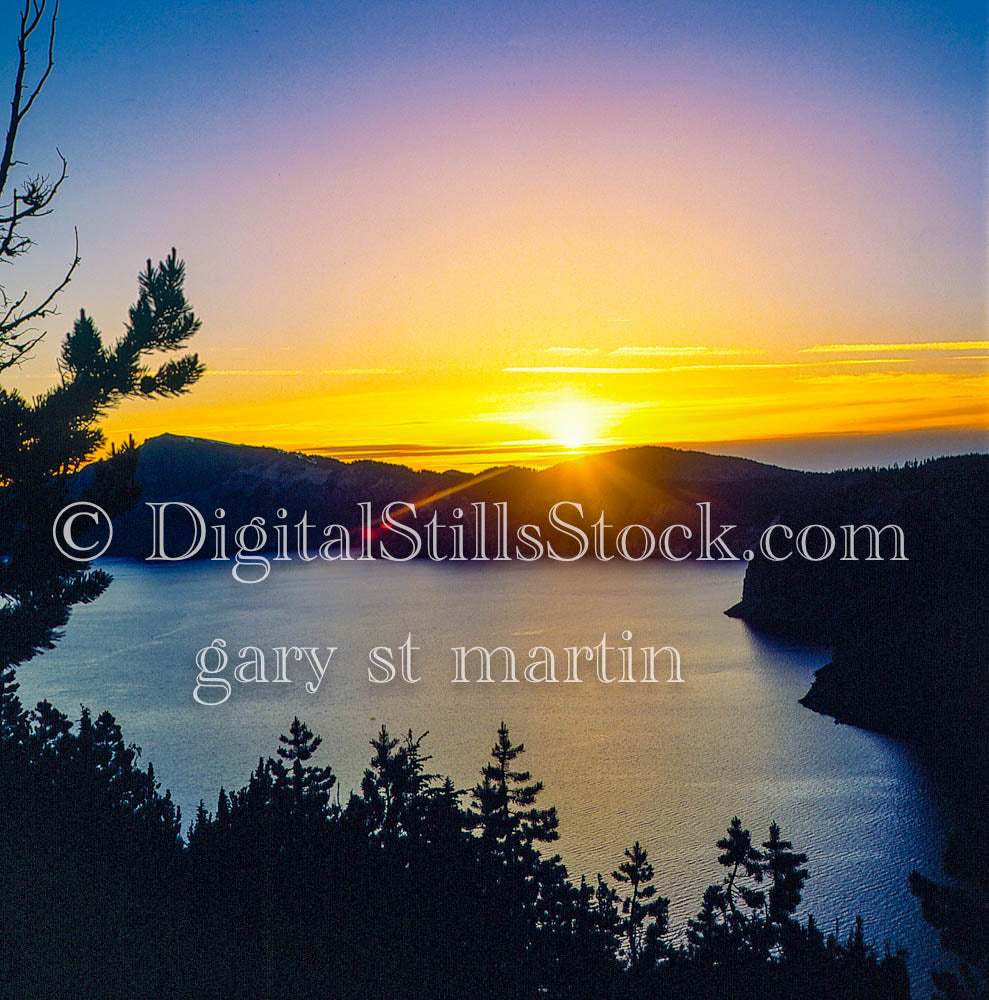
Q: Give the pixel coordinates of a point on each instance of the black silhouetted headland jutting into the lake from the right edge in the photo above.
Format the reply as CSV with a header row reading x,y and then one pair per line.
x,y
909,639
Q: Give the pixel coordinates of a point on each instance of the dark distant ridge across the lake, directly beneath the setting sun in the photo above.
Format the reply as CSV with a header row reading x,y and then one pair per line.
x,y
653,486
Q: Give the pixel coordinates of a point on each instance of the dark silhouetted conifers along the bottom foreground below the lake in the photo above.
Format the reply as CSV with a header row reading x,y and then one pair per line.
x,y
410,888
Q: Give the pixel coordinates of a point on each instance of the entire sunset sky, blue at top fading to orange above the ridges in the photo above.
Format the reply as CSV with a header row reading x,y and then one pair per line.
x,y
460,235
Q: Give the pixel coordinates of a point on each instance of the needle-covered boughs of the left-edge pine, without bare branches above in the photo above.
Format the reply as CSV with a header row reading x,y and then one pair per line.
x,y
44,440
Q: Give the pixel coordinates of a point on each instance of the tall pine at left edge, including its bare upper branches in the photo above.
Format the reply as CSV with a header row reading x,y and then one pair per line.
x,y
45,439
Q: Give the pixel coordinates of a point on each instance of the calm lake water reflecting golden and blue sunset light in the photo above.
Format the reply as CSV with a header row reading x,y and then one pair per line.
x,y
666,764
